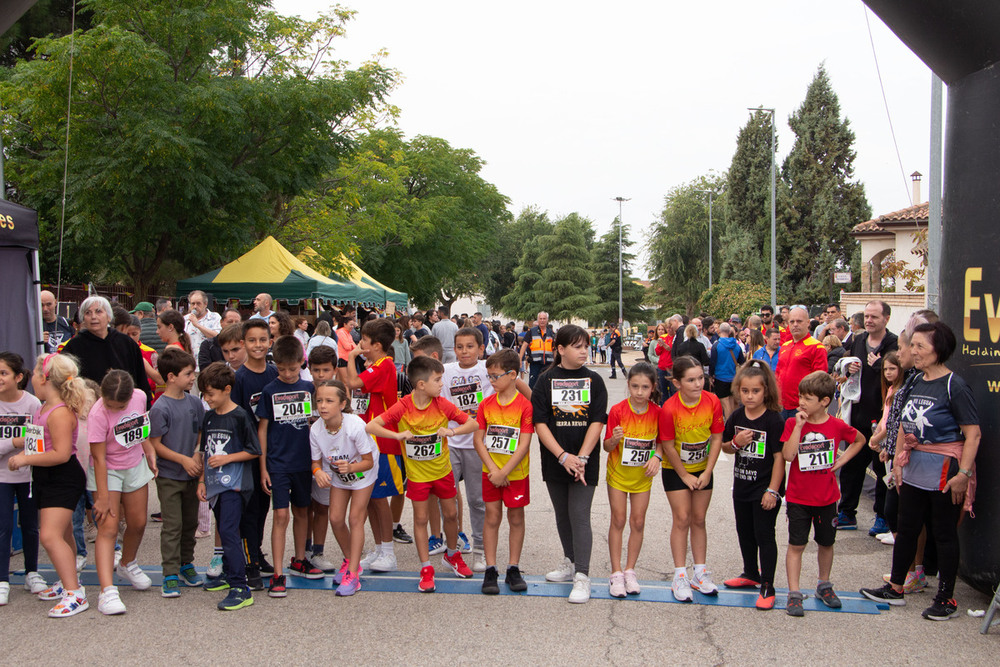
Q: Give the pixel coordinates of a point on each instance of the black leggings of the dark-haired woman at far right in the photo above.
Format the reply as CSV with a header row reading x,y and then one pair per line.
x,y
915,506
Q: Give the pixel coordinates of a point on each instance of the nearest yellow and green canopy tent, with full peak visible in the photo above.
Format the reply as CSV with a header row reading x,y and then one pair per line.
x,y
272,269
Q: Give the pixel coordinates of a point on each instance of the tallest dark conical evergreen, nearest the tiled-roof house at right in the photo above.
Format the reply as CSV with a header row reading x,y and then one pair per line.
x,y
815,239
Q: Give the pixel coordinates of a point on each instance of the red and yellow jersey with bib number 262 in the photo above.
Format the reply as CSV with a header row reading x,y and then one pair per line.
x,y
427,457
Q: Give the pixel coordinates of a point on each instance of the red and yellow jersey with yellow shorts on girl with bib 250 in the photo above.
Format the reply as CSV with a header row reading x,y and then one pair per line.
x,y
641,432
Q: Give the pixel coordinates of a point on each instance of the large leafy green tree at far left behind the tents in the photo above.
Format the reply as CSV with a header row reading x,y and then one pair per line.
x,y
192,124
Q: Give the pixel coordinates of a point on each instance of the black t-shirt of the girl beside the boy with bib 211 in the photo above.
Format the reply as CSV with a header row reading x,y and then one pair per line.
x,y
752,468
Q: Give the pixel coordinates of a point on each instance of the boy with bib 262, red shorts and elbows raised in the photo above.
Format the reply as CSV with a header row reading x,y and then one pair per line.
x,y
423,418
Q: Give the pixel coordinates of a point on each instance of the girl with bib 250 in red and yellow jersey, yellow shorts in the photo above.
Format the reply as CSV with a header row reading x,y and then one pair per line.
x,y
633,459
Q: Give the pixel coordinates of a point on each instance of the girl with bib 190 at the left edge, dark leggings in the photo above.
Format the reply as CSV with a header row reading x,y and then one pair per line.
x,y
16,408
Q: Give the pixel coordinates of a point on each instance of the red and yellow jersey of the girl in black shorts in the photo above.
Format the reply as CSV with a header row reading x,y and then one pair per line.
x,y
691,427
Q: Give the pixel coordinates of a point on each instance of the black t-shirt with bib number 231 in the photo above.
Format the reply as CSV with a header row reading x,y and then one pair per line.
x,y
569,420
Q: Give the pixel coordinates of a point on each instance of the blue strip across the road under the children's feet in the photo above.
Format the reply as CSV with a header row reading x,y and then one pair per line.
x,y
406,582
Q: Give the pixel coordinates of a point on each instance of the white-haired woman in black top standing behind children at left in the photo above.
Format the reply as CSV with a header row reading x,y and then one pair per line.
x,y
101,348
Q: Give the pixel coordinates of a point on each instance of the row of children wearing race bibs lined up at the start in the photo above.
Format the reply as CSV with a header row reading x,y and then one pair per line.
x,y
336,450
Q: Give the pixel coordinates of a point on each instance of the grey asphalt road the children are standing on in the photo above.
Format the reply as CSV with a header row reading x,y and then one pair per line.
x,y
312,626
